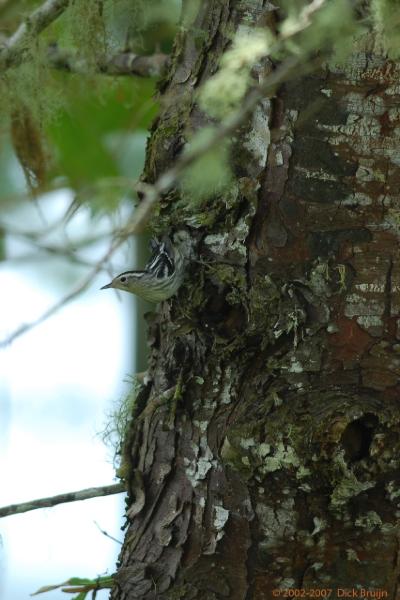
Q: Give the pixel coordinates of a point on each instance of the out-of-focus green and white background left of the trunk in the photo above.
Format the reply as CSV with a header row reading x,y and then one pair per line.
x,y
72,145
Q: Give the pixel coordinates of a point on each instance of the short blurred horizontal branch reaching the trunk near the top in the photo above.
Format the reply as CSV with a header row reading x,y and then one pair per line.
x,y
124,63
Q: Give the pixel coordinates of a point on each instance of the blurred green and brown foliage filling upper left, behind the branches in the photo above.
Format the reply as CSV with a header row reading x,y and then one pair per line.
x,y
52,118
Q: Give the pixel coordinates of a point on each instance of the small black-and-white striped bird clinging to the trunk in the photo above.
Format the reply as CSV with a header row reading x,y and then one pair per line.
x,y
161,277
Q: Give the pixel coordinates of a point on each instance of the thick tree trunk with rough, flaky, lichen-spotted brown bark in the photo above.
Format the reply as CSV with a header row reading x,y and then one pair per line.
x,y
265,450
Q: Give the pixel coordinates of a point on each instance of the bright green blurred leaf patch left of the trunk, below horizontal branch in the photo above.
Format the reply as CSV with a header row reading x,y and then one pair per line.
x,y
81,135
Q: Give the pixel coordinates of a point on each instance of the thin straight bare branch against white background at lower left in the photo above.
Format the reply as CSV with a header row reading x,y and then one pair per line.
x,y
105,490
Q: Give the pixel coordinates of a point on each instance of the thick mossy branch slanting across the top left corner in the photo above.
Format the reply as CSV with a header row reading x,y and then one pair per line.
x,y
34,24
